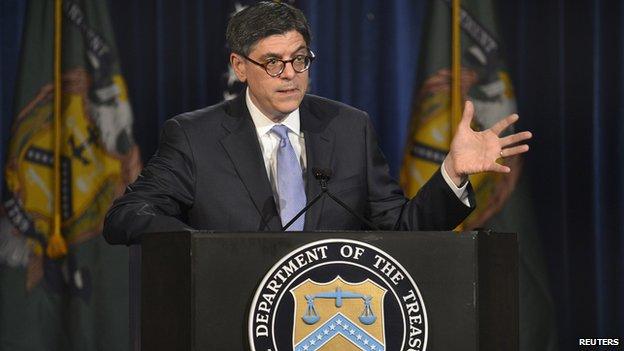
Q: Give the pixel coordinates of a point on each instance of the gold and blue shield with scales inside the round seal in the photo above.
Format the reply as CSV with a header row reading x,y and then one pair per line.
x,y
338,315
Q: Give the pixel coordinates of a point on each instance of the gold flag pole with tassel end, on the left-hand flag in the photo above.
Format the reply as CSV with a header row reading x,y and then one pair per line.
x,y
57,247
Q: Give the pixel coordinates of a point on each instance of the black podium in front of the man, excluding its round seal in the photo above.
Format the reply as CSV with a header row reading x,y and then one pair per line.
x,y
197,287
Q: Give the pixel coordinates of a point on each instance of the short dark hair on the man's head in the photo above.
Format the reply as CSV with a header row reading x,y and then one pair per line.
x,y
262,20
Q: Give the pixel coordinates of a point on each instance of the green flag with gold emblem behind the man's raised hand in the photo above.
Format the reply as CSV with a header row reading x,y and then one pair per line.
x,y
503,200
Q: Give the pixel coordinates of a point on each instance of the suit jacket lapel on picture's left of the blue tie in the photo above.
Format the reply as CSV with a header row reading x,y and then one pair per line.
x,y
243,148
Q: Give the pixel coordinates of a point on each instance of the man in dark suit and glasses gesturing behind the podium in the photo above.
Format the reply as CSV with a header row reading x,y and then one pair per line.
x,y
247,164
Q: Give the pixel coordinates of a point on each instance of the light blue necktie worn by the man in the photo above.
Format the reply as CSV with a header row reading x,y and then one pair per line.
x,y
290,189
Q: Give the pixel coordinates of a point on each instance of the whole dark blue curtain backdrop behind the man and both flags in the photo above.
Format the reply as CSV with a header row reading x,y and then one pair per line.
x,y
566,61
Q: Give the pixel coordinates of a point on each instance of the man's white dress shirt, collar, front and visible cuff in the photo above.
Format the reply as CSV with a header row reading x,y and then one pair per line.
x,y
270,141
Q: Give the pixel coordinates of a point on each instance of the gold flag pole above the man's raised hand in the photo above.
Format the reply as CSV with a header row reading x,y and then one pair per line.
x,y
455,69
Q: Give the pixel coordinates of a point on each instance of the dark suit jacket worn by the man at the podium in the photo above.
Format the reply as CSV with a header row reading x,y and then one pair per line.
x,y
208,173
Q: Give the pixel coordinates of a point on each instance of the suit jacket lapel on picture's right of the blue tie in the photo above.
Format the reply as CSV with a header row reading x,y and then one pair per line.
x,y
319,142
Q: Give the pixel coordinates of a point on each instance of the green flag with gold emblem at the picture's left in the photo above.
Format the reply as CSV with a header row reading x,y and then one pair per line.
x,y
78,301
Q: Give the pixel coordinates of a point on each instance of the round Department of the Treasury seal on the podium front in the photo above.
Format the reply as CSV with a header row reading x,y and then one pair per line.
x,y
337,294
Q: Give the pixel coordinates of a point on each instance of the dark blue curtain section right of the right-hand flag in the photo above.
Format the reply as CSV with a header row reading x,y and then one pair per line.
x,y
566,59
